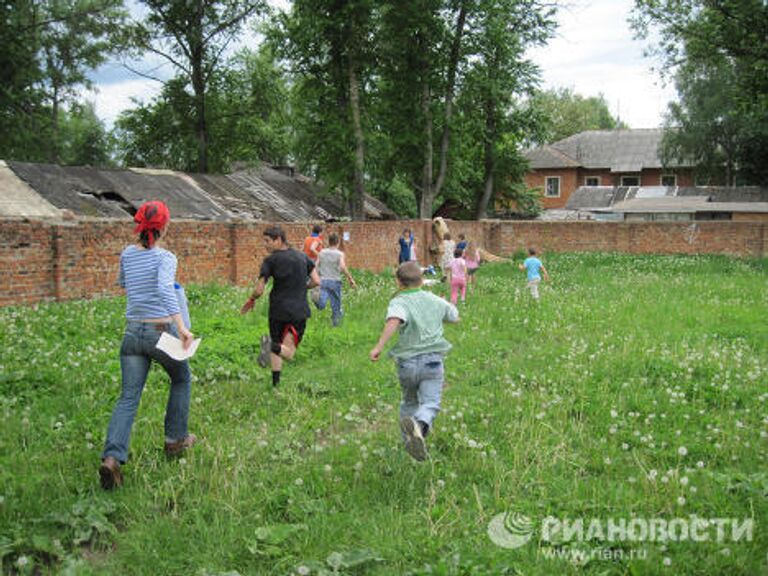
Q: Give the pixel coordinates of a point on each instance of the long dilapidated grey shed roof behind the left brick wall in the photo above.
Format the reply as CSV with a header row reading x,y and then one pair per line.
x,y
253,194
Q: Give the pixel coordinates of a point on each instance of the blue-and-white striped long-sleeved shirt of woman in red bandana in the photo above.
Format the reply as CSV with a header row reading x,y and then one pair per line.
x,y
148,278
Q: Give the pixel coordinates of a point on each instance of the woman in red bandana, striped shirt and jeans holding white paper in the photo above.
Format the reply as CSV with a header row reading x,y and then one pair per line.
x,y
147,272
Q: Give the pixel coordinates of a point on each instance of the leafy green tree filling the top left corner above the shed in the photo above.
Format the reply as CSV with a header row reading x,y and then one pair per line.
x,y
48,48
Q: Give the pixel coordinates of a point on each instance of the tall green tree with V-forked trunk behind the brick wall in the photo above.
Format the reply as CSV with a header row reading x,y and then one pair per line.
x,y
421,54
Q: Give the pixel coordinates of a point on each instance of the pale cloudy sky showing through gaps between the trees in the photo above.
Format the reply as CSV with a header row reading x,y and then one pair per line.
x,y
593,53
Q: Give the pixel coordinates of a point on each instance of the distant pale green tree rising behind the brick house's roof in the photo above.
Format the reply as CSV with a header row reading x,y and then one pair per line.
x,y
566,113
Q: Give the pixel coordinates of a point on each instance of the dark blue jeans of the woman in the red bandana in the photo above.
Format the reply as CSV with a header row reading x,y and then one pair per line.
x,y
136,354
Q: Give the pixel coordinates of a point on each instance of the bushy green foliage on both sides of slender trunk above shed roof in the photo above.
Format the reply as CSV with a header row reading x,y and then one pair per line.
x,y
247,119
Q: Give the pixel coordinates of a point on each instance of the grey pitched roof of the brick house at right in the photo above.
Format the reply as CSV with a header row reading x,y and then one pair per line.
x,y
617,150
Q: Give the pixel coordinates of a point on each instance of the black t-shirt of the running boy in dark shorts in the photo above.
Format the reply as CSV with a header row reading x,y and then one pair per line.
x,y
289,270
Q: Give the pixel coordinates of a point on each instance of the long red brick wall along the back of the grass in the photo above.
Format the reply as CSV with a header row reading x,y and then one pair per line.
x,y
64,261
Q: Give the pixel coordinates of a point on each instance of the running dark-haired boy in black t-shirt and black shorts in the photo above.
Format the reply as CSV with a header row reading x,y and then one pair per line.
x,y
288,307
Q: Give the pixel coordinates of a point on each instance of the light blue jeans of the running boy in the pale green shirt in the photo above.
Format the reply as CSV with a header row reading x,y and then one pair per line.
x,y
421,382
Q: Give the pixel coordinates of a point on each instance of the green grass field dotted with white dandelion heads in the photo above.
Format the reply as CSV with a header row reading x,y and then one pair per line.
x,y
636,390
